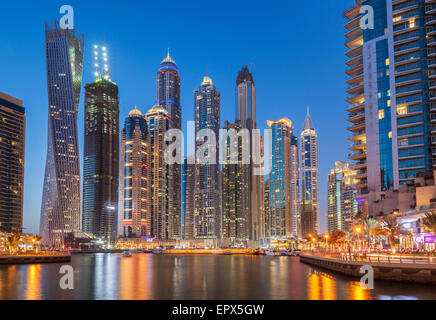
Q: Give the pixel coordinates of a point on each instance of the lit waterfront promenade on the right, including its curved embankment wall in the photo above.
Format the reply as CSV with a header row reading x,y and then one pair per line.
x,y
403,268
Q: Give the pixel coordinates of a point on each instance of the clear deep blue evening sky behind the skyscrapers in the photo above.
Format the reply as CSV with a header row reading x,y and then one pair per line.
x,y
296,50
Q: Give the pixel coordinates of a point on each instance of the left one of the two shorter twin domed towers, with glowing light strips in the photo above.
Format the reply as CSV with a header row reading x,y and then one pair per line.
x,y
135,196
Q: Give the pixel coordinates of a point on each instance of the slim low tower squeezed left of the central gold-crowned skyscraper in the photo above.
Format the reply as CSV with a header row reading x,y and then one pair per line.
x,y
188,197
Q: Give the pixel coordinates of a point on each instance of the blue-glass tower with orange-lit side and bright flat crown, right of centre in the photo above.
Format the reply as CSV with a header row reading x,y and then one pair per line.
x,y
284,181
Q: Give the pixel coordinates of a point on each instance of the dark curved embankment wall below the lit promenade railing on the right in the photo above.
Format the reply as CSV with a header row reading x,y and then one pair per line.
x,y
403,272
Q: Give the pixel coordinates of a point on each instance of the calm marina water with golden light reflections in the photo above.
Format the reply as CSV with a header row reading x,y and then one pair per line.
x,y
146,276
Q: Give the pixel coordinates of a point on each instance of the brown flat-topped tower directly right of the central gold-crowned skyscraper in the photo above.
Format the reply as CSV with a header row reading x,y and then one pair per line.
x,y
235,189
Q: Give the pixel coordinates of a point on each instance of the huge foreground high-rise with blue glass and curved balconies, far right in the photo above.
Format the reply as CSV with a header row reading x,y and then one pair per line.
x,y
389,95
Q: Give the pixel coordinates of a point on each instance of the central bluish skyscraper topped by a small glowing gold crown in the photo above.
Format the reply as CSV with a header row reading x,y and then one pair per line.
x,y
207,189
